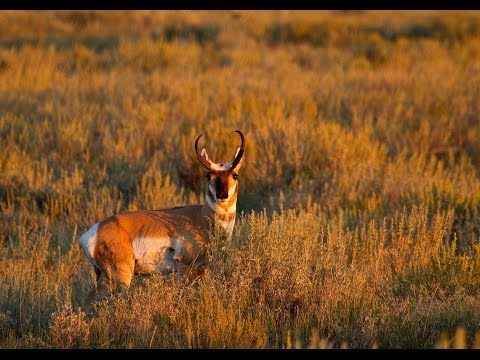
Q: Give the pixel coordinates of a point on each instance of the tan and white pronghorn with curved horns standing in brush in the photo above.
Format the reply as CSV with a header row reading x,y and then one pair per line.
x,y
165,241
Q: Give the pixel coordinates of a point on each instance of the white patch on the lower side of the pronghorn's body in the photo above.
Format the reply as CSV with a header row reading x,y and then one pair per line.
x,y
153,255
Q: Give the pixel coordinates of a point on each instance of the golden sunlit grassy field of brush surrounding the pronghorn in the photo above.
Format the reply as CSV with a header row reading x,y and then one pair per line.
x,y
358,218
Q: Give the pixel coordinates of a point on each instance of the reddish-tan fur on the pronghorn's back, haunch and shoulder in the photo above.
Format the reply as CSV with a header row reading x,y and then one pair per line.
x,y
114,250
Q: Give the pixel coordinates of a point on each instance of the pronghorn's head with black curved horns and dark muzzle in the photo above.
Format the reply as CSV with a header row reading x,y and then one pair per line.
x,y
222,177
